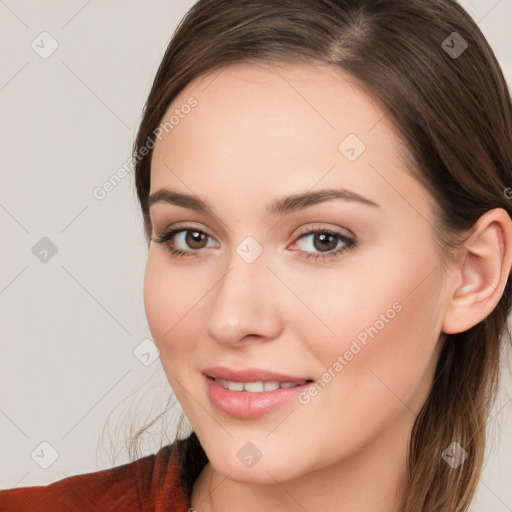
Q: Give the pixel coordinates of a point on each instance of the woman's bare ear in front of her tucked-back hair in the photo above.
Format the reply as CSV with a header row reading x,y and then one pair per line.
x,y
482,272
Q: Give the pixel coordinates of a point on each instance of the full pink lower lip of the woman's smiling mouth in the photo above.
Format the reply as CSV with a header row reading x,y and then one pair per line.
x,y
246,405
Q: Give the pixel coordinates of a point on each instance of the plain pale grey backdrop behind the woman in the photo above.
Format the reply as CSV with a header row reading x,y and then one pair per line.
x,y
73,81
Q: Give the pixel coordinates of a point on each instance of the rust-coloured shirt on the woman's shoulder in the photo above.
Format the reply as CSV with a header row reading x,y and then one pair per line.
x,y
149,484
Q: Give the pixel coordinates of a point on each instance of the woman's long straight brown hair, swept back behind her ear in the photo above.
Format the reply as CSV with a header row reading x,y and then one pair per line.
x,y
454,114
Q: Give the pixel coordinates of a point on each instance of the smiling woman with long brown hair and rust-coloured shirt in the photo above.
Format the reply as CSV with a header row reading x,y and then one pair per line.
x,y
325,187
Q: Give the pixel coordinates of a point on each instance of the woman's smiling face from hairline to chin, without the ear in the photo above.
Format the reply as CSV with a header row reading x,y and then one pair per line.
x,y
344,292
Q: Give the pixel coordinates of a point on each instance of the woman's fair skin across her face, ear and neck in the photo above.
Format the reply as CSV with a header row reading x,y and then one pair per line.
x,y
259,133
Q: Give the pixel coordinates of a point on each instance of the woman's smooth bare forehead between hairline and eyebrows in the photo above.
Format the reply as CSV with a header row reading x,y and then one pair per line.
x,y
262,128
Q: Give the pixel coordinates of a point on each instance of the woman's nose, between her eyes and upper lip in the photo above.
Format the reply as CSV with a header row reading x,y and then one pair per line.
x,y
244,304
